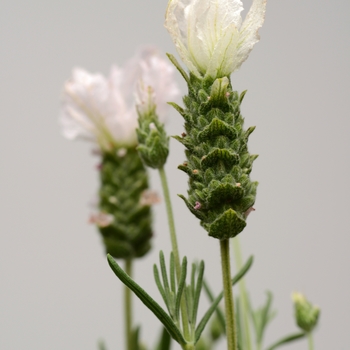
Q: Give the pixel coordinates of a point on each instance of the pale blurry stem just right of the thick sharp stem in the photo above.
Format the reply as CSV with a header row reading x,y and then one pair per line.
x,y
243,293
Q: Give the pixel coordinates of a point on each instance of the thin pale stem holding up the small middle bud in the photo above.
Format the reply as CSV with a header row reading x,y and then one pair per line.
x,y
184,316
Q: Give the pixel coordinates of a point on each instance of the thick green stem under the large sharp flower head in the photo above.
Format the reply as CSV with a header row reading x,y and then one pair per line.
x,y
231,332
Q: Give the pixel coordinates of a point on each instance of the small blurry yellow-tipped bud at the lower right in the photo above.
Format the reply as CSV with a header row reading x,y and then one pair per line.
x,y
306,314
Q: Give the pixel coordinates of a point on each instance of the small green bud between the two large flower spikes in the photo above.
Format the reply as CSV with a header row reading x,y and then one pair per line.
x,y
153,142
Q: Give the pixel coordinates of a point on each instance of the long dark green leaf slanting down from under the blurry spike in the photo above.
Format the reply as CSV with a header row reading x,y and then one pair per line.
x,y
157,310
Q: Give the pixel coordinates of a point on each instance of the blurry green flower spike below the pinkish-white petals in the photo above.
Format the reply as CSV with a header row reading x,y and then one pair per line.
x,y
125,220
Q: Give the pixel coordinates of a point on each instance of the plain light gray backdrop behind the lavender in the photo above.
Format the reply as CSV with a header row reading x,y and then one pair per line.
x,y
57,291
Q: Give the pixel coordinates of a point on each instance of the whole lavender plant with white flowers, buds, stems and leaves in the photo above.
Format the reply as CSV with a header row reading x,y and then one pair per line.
x,y
213,41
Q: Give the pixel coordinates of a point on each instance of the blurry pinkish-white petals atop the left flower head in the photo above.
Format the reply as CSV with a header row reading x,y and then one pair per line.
x,y
103,109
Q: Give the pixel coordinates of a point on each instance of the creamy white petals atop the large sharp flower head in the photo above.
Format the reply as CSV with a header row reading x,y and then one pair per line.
x,y
209,34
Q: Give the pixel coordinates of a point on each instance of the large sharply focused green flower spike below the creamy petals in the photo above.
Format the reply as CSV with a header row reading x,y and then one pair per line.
x,y
221,194
